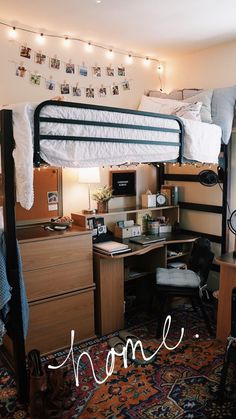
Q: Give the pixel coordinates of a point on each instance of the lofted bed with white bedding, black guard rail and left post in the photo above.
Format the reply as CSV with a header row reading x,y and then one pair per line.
x,y
69,134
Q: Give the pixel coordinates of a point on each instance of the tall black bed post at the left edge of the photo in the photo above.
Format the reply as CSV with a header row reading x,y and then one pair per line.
x,y
15,316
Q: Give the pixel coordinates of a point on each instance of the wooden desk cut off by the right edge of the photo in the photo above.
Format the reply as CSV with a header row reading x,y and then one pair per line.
x,y
227,283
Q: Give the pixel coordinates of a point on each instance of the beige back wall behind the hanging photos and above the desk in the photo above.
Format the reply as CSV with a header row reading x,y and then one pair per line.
x,y
15,89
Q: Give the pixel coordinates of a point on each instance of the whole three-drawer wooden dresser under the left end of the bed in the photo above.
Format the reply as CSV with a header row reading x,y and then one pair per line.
x,y
58,274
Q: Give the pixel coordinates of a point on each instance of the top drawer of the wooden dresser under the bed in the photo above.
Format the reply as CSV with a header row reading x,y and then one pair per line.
x,y
45,253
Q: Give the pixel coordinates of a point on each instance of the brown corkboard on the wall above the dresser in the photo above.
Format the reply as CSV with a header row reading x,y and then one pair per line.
x,y
46,181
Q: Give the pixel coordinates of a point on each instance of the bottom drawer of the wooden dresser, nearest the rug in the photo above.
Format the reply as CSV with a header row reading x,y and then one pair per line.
x,y
52,320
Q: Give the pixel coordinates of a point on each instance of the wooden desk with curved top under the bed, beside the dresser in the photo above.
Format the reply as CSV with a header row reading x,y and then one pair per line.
x,y
109,277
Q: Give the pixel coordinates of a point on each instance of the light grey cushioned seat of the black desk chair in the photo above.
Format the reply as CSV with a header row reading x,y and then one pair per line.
x,y
177,278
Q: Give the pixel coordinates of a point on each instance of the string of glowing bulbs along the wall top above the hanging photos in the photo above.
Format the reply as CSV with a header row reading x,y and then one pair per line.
x,y
88,45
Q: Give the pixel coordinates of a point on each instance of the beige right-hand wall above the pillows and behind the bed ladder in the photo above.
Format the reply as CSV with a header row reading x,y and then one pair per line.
x,y
209,68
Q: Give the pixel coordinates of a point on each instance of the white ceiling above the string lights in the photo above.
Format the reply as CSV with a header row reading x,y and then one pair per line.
x,y
158,28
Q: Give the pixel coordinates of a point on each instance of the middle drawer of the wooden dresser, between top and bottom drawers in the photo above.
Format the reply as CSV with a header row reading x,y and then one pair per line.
x,y
46,282
